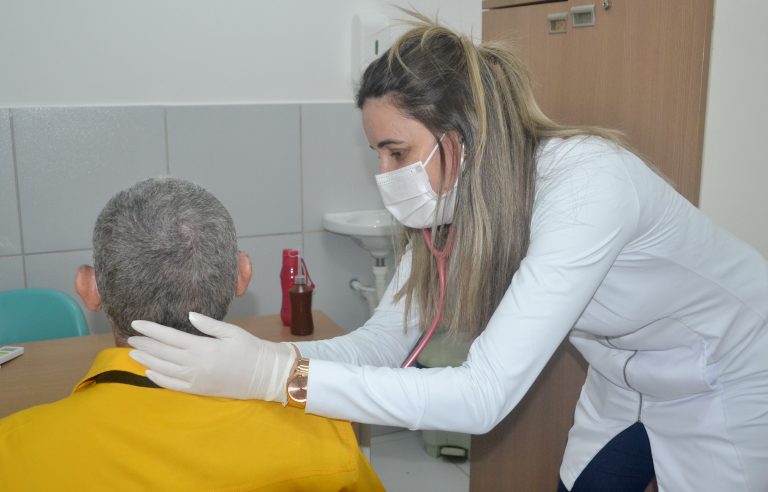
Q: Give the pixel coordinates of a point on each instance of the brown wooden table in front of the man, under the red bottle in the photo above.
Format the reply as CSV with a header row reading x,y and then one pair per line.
x,y
49,370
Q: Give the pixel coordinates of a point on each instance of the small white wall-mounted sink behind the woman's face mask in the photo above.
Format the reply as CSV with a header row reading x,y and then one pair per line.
x,y
371,229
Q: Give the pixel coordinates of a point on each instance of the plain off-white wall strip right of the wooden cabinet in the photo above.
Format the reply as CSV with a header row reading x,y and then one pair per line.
x,y
734,184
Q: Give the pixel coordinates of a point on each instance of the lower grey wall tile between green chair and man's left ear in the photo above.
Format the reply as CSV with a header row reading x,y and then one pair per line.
x,y
57,271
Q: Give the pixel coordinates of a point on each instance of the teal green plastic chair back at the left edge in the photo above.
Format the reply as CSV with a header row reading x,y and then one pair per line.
x,y
27,315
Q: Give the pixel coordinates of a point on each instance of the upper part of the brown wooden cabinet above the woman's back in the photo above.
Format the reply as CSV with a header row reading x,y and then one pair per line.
x,y
641,69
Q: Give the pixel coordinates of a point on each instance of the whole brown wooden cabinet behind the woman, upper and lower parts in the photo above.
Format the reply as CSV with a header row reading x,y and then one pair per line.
x,y
642,69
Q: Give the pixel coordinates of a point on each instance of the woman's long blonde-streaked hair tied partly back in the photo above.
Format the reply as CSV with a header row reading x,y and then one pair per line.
x,y
483,93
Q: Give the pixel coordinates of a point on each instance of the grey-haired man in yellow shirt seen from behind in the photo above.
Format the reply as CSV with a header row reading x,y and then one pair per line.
x,y
163,248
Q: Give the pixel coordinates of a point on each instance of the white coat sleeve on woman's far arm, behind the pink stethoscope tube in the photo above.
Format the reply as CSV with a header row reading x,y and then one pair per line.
x,y
382,340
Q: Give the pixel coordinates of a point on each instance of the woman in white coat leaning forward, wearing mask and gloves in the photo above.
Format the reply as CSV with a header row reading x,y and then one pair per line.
x,y
551,231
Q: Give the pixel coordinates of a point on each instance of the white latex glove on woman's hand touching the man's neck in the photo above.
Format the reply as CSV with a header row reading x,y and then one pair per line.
x,y
234,364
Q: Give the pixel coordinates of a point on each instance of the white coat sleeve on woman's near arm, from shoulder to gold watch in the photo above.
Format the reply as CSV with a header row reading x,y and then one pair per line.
x,y
584,215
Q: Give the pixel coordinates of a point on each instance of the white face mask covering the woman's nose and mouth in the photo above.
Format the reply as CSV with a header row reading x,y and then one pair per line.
x,y
409,196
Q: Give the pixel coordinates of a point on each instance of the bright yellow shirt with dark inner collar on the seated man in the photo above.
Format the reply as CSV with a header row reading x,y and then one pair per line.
x,y
115,436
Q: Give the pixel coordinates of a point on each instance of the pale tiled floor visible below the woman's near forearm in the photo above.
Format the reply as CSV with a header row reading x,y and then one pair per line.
x,y
403,466
